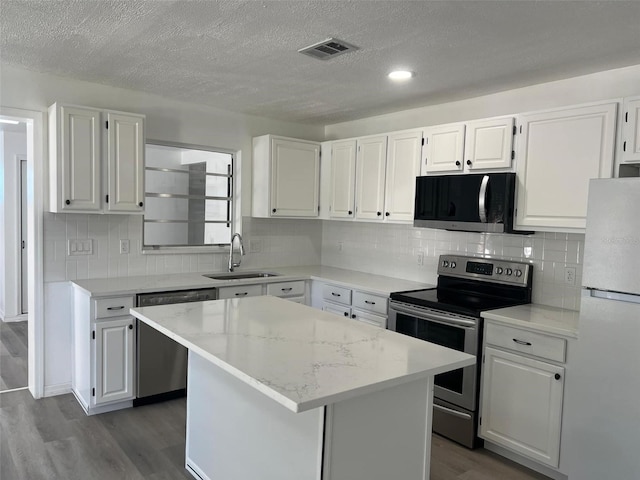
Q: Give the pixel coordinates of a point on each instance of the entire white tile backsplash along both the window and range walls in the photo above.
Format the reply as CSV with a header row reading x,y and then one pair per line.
x,y
393,250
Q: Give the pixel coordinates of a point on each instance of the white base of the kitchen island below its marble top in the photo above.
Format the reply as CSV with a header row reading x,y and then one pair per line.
x,y
235,432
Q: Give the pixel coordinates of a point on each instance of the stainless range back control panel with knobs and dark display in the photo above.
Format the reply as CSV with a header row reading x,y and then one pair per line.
x,y
491,270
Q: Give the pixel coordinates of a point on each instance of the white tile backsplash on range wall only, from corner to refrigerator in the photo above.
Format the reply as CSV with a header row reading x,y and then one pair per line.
x,y
398,250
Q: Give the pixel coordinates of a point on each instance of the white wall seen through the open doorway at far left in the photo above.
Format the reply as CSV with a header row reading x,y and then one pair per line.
x,y
13,144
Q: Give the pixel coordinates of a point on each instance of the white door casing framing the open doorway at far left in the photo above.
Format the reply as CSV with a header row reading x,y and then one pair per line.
x,y
36,171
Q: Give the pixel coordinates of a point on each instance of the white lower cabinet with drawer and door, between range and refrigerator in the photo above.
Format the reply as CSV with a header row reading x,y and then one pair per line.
x,y
521,405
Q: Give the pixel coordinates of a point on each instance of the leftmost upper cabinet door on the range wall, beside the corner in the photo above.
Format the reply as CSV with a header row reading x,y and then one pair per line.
x,y
343,179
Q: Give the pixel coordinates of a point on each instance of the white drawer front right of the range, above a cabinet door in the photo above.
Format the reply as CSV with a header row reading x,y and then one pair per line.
x,y
532,343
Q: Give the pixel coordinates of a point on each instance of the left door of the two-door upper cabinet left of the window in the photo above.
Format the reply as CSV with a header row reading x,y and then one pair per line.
x,y
79,174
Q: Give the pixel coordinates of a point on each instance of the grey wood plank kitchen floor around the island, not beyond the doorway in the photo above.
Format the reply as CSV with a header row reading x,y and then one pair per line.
x,y
52,438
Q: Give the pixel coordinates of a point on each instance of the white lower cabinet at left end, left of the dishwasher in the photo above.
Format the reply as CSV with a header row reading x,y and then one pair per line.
x,y
103,352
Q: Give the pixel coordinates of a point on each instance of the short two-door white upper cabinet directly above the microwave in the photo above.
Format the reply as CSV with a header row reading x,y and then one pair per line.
x,y
464,147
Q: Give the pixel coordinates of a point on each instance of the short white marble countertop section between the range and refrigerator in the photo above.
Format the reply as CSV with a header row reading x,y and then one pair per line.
x,y
541,318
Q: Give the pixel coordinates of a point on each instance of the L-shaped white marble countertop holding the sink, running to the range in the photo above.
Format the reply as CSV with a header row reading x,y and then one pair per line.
x,y
378,284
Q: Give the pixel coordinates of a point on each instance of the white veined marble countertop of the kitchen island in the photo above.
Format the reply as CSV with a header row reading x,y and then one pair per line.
x,y
300,357
